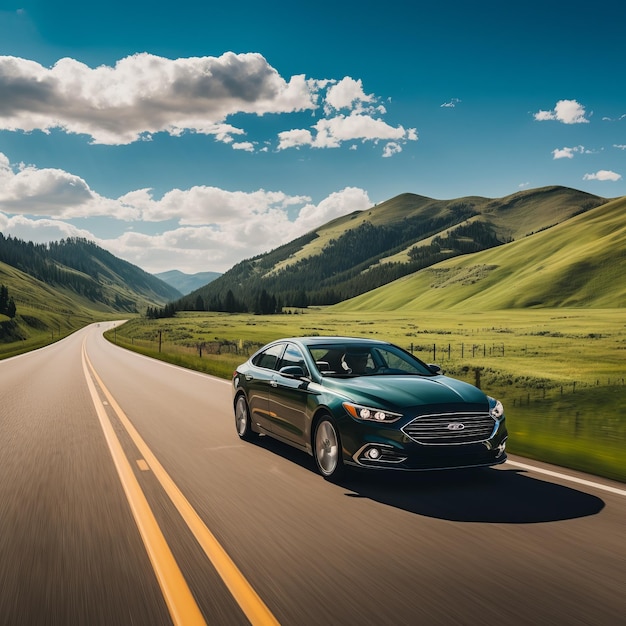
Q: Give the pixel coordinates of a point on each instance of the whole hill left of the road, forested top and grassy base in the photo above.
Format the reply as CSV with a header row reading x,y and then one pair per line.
x,y
61,286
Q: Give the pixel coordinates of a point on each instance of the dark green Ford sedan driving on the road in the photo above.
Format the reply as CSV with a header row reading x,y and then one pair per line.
x,y
365,403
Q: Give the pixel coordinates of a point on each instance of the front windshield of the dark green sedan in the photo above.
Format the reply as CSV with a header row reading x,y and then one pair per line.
x,y
337,359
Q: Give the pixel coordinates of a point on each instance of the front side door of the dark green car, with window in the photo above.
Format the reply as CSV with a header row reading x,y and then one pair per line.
x,y
288,399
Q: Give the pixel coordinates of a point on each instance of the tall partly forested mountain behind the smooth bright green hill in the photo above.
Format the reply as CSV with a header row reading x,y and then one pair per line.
x,y
357,253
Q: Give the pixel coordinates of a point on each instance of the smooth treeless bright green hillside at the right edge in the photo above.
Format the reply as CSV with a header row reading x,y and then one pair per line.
x,y
578,263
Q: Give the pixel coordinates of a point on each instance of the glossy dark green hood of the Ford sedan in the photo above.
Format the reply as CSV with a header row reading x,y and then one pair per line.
x,y
407,391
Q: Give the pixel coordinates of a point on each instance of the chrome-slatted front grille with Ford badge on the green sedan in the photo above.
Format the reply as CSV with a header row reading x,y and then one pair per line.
x,y
451,428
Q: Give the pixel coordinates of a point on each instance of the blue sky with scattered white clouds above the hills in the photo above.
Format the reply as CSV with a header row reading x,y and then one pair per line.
x,y
191,135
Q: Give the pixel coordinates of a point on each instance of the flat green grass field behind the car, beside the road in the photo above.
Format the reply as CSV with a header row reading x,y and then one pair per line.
x,y
559,372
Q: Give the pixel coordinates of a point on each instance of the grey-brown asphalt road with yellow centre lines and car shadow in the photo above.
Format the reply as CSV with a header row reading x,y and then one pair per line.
x,y
126,497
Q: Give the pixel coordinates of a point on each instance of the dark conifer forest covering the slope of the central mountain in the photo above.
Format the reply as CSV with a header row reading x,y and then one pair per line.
x,y
349,265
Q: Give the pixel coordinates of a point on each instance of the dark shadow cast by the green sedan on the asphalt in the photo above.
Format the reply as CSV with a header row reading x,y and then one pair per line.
x,y
490,495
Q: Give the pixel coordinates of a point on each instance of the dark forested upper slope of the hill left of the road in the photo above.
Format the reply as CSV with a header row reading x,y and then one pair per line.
x,y
80,270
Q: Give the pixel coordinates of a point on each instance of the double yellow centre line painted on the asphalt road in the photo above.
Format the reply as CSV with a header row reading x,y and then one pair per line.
x,y
180,601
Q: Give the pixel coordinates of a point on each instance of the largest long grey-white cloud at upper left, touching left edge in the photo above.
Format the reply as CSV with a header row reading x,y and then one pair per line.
x,y
144,94
